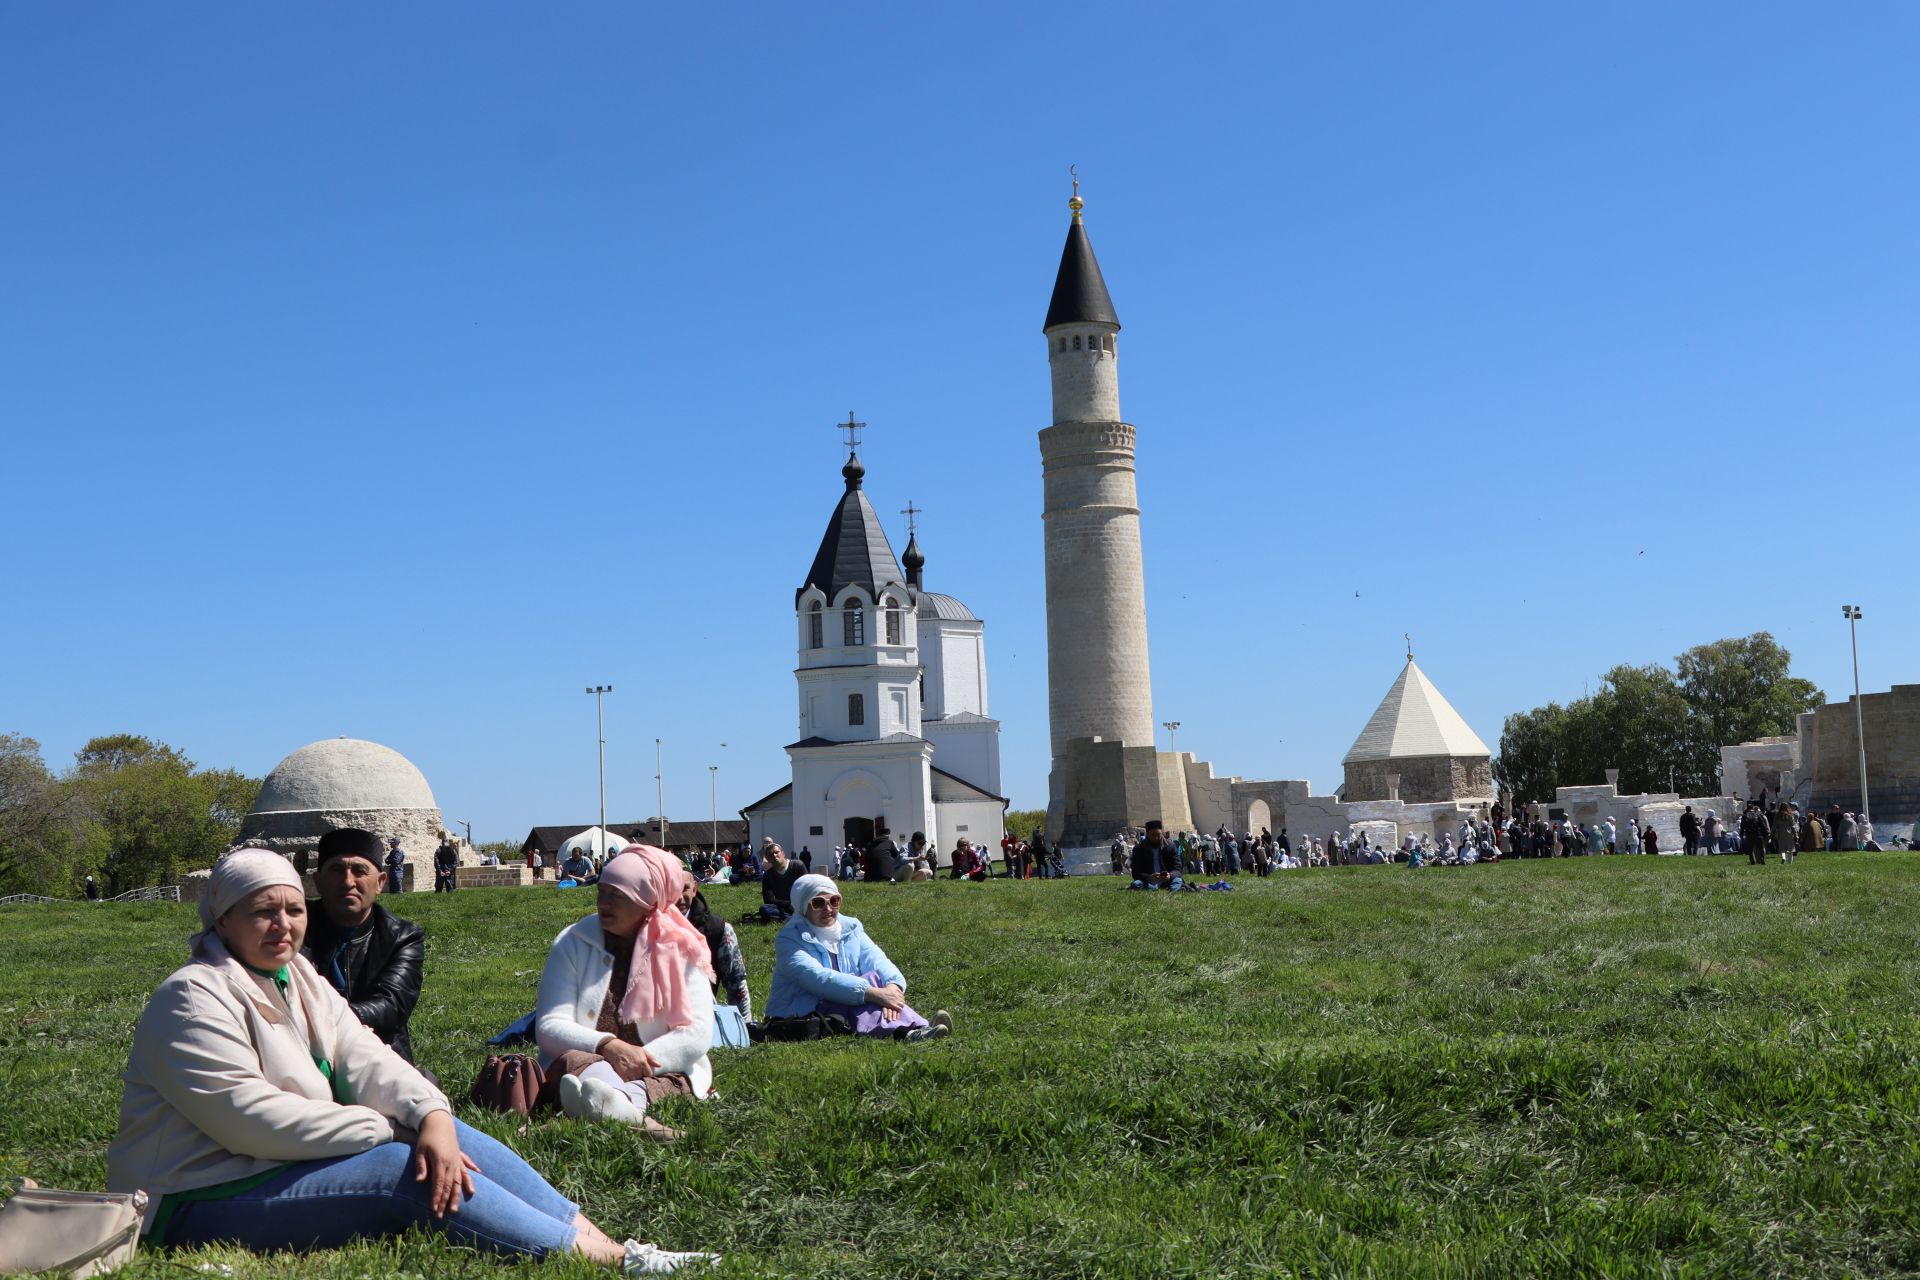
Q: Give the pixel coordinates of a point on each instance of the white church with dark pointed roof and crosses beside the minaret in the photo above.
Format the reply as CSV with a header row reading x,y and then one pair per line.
x,y
892,690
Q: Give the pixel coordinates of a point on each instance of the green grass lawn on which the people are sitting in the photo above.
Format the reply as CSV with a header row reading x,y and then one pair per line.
x,y
1591,1068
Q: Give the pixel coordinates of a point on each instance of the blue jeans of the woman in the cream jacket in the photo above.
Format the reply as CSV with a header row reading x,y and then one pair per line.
x,y
324,1204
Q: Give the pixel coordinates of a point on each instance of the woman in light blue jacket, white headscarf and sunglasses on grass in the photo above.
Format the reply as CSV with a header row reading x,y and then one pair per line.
x,y
827,964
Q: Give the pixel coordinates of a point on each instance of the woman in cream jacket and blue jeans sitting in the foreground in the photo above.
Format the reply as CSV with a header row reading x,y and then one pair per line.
x,y
260,1110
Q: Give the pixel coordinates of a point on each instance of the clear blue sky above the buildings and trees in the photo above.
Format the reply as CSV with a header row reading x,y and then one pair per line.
x,y
400,371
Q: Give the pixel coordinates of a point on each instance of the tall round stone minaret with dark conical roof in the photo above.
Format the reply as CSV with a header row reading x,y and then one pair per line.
x,y
1095,598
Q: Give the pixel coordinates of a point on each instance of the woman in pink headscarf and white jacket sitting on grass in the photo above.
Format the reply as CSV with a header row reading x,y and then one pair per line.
x,y
627,1008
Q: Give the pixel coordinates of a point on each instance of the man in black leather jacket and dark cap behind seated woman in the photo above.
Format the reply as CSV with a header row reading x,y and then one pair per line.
x,y
370,955
